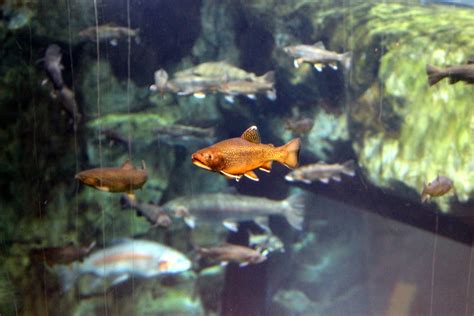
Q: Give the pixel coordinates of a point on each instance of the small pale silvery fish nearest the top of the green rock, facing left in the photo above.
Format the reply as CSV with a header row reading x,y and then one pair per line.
x,y
318,56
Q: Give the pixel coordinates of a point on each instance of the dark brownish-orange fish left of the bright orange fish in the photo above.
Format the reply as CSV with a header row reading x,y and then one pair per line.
x,y
126,178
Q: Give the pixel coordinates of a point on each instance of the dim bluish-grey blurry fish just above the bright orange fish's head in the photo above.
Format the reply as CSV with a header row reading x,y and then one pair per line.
x,y
184,134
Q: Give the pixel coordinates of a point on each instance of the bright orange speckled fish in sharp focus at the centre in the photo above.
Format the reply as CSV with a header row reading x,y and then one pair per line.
x,y
237,157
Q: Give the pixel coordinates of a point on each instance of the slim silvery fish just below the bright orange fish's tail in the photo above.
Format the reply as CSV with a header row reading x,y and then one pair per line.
x,y
322,172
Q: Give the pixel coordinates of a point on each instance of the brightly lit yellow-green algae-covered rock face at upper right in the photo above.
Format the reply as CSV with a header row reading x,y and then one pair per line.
x,y
435,136
